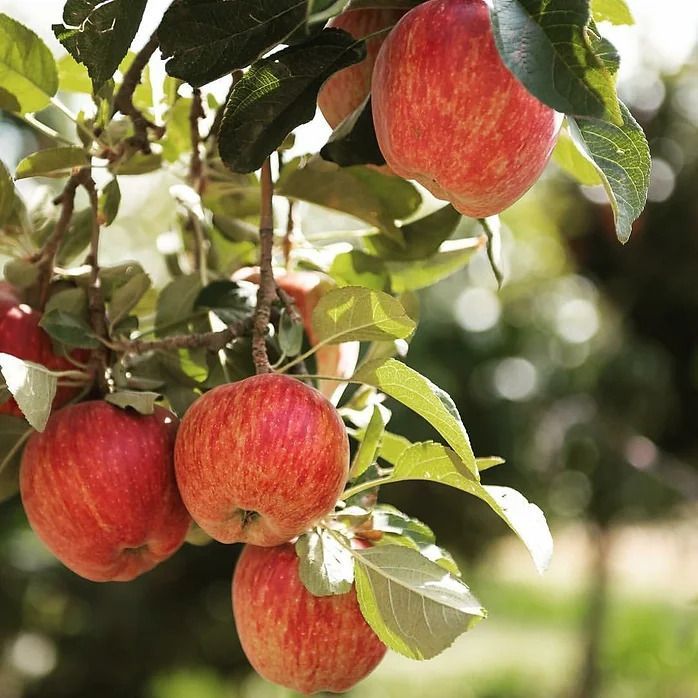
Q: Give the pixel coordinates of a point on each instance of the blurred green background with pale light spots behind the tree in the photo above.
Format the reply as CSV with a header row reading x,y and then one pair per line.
x,y
582,372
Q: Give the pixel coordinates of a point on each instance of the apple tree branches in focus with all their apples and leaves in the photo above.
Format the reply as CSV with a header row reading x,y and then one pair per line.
x,y
243,394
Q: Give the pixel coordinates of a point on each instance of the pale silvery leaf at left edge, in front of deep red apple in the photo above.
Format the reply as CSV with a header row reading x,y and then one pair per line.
x,y
32,386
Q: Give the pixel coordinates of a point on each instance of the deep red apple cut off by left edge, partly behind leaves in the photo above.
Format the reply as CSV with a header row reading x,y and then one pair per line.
x,y
21,336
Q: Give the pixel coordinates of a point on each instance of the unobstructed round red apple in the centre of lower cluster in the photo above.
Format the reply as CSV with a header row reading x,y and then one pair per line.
x,y
261,460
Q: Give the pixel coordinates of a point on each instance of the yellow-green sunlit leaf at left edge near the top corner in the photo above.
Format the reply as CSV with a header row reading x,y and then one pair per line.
x,y
27,68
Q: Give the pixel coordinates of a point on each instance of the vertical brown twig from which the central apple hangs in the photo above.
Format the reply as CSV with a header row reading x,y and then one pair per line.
x,y
267,285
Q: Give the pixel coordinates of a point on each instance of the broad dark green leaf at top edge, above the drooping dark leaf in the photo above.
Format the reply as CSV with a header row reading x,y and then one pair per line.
x,y
207,39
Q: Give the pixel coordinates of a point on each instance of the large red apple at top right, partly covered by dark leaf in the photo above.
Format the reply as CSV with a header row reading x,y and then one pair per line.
x,y
451,116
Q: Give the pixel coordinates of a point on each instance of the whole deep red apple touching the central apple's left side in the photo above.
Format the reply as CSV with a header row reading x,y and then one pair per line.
x,y
99,490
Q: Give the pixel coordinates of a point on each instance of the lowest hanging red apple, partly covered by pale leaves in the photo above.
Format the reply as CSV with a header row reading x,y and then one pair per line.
x,y
292,638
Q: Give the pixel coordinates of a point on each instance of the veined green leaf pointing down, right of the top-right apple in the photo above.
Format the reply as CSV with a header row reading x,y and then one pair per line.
x,y
622,156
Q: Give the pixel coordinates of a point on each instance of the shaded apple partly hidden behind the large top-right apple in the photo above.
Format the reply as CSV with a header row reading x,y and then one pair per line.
x,y
344,92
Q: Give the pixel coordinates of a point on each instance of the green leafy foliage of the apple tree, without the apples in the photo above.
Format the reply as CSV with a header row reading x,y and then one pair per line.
x,y
409,590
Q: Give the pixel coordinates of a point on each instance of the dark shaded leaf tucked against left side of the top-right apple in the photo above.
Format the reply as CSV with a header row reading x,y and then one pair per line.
x,y
354,141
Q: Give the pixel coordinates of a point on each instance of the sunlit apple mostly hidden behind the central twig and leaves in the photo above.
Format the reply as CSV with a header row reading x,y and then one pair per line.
x,y
306,288
